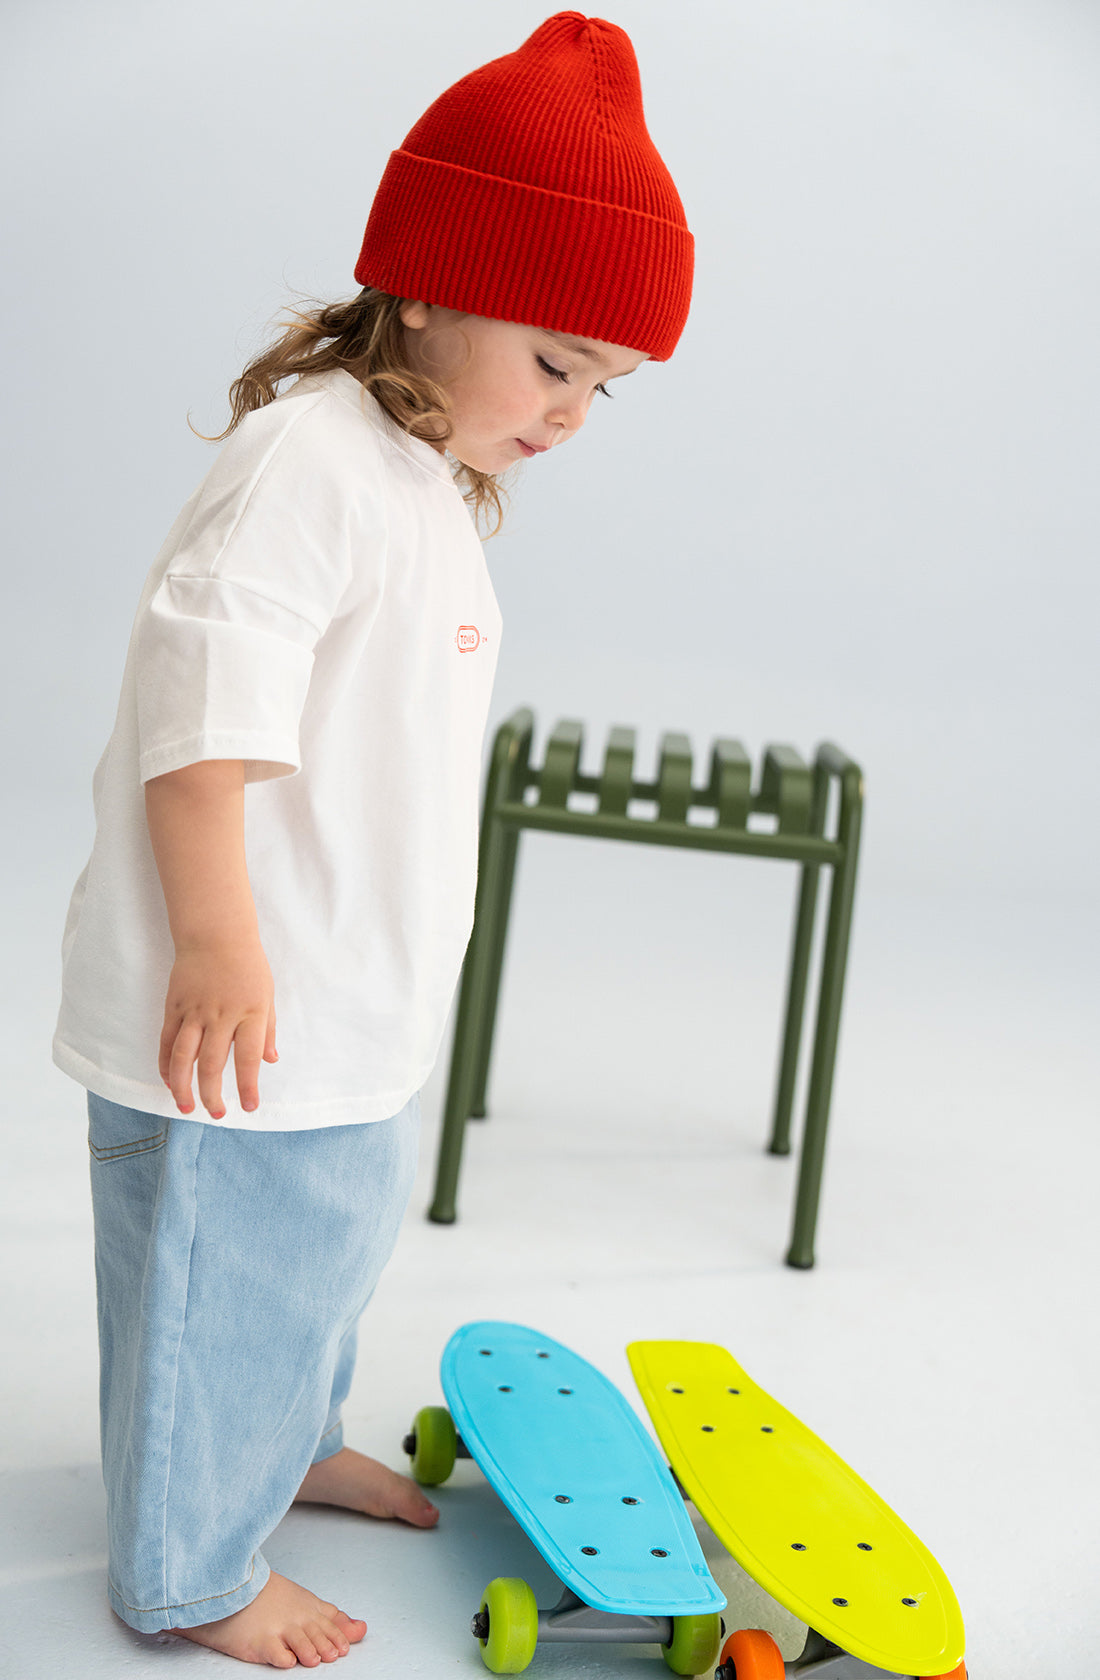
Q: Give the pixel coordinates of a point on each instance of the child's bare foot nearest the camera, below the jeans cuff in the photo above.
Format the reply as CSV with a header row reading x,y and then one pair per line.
x,y
285,1625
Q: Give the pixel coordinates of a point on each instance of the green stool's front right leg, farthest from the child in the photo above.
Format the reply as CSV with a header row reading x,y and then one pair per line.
x,y
830,999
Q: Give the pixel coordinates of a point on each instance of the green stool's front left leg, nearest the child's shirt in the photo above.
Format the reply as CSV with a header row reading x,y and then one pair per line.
x,y
464,1056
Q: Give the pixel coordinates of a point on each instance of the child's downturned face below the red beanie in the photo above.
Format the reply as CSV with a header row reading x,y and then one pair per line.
x,y
515,391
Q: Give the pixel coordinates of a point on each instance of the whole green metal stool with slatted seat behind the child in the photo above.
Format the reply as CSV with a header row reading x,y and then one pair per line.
x,y
794,794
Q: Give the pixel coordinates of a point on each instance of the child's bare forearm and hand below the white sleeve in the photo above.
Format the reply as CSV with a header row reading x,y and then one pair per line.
x,y
221,992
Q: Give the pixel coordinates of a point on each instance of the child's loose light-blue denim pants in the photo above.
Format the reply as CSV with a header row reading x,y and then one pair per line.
x,y
231,1271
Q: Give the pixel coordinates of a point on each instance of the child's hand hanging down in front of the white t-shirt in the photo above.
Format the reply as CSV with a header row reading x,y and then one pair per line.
x,y
217,997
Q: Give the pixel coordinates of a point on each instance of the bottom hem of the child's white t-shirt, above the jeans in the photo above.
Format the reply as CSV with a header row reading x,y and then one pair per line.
x,y
360,1110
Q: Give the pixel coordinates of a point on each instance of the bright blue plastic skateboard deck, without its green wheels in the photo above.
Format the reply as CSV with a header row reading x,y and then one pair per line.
x,y
574,1464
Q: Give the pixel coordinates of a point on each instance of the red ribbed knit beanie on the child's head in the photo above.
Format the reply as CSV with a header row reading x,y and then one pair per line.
x,y
532,192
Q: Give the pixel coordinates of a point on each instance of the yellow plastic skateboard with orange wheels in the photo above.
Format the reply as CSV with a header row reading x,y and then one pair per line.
x,y
802,1525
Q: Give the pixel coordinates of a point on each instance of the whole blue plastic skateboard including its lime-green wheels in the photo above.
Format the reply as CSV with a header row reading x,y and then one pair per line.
x,y
589,1486
